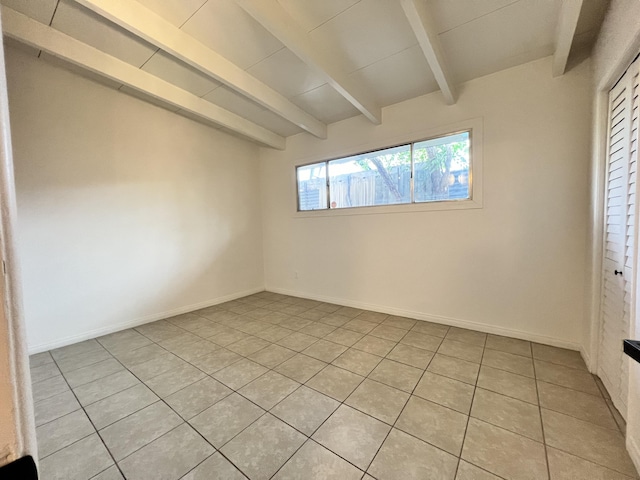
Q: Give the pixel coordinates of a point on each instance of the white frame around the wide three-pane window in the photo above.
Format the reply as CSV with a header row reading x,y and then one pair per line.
x,y
474,126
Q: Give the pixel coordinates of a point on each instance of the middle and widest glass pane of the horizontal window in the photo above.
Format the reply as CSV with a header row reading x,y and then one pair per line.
x,y
376,178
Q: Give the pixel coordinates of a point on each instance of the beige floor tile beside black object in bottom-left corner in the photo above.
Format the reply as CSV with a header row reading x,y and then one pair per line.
x,y
79,461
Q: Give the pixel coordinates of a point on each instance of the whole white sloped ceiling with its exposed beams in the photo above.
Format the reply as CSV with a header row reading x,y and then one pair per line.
x,y
268,69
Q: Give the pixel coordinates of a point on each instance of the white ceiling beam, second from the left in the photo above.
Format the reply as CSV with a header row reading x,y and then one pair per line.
x,y
146,24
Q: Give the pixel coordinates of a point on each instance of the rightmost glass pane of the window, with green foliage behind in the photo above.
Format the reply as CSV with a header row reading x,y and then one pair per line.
x,y
441,168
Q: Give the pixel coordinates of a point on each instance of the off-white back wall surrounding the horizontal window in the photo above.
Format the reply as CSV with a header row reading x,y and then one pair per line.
x,y
516,266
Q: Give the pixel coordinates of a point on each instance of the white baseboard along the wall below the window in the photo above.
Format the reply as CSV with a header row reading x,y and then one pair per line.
x,y
453,322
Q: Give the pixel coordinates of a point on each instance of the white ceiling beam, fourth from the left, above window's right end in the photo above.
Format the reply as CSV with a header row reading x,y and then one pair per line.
x,y
420,21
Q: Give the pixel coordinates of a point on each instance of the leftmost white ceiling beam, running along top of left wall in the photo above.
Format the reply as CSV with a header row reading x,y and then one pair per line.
x,y
33,33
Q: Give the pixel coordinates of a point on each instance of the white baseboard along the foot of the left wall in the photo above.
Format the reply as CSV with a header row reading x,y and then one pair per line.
x,y
116,327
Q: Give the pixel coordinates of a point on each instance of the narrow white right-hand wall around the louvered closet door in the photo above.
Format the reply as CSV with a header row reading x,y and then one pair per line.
x,y
618,44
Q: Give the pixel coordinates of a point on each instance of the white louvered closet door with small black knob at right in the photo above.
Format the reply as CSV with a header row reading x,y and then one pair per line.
x,y
619,242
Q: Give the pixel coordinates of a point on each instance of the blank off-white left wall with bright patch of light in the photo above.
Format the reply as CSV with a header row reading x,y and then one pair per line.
x,y
127,212
